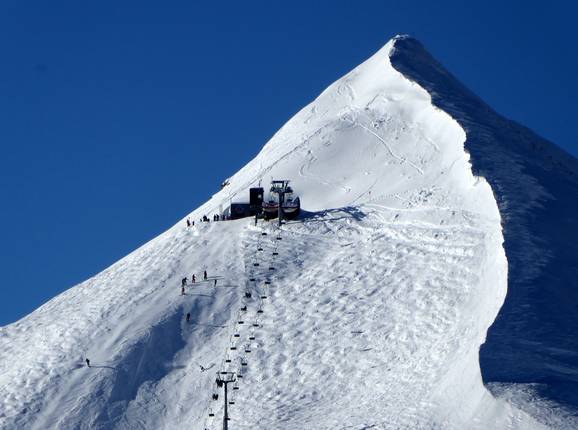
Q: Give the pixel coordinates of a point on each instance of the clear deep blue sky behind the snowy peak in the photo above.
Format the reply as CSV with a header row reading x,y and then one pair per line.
x,y
117,118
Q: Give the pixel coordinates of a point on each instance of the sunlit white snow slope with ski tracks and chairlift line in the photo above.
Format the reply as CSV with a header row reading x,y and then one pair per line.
x,y
368,312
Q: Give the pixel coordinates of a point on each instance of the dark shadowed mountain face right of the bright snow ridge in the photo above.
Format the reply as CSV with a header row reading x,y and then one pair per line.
x,y
536,186
